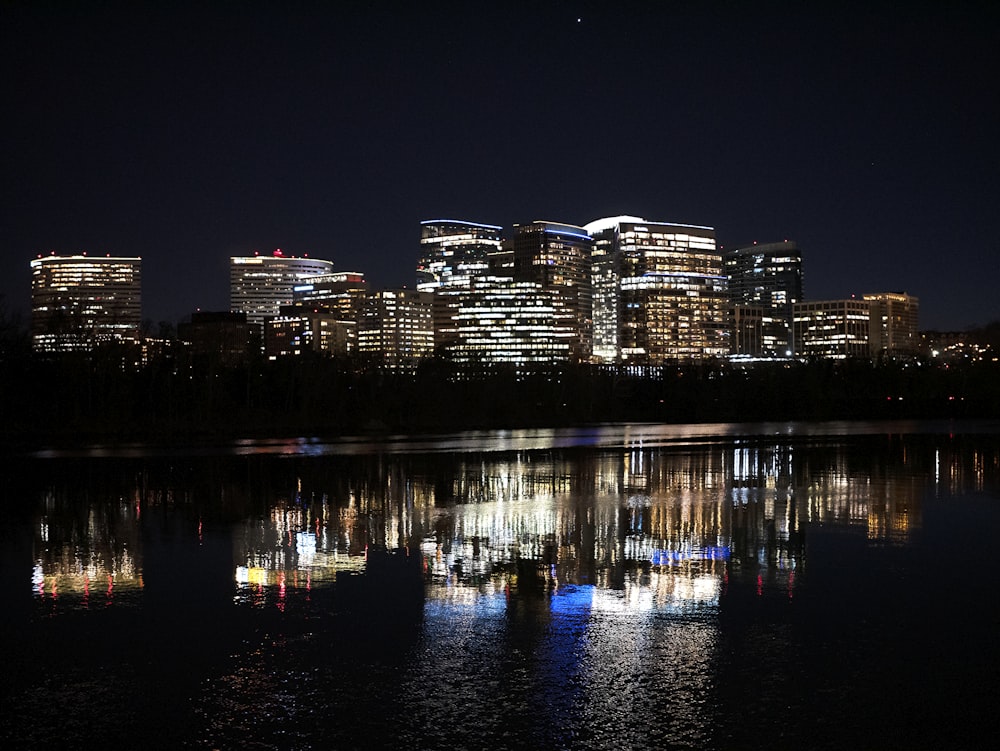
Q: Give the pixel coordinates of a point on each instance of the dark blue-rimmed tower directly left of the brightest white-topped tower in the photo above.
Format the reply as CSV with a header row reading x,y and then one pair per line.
x,y
557,257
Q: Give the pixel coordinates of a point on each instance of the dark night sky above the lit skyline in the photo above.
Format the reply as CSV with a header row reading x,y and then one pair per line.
x,y
867,133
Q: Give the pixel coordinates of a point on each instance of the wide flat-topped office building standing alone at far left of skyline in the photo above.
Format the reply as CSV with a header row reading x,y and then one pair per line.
x,y
79,302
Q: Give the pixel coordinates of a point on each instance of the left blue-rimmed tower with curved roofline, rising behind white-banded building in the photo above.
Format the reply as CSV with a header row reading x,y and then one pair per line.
x,y
452,252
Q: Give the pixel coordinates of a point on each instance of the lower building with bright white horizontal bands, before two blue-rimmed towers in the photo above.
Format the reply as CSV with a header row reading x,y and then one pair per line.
x,y
497,320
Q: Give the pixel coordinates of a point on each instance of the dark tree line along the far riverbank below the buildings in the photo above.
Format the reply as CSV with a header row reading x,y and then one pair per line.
x,y
104,396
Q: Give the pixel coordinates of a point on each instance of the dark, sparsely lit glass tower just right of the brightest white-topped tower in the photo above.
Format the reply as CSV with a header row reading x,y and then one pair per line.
x,y
768,277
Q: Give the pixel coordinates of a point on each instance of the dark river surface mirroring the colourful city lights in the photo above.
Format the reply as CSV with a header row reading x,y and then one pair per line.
x,y
566,591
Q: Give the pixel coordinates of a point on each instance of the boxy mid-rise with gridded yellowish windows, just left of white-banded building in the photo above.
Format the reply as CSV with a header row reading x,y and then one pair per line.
x,y
396,327
